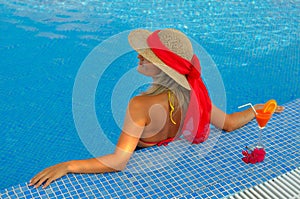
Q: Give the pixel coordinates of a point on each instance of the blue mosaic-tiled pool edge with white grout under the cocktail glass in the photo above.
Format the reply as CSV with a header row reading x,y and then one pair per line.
x,y
213,169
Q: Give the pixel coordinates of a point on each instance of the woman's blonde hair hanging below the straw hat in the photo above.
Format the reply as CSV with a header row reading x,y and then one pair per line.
x,y
163,83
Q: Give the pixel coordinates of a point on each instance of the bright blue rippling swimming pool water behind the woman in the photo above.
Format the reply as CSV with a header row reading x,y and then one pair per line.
x,y
254,44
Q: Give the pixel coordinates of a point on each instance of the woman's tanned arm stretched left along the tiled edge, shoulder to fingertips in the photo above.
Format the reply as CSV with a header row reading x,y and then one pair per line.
x,y
134,123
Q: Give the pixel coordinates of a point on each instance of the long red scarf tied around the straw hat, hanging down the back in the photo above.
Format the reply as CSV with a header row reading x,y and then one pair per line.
x,y
199,108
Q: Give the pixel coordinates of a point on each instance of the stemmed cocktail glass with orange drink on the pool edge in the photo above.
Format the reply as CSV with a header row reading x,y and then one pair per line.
x,y
262,119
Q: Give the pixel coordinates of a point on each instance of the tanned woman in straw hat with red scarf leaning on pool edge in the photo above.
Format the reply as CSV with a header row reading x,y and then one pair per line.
x,y
177,103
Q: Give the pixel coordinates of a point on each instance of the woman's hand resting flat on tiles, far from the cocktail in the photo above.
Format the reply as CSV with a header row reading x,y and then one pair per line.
x,y
49,174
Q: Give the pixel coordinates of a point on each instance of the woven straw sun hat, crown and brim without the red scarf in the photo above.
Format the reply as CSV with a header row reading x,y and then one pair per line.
x,y
174,40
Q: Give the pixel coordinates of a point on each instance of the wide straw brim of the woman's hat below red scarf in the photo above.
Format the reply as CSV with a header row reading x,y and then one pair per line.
x,y
138,41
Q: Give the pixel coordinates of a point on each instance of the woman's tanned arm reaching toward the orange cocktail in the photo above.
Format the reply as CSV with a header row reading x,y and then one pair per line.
x,y
231,122
